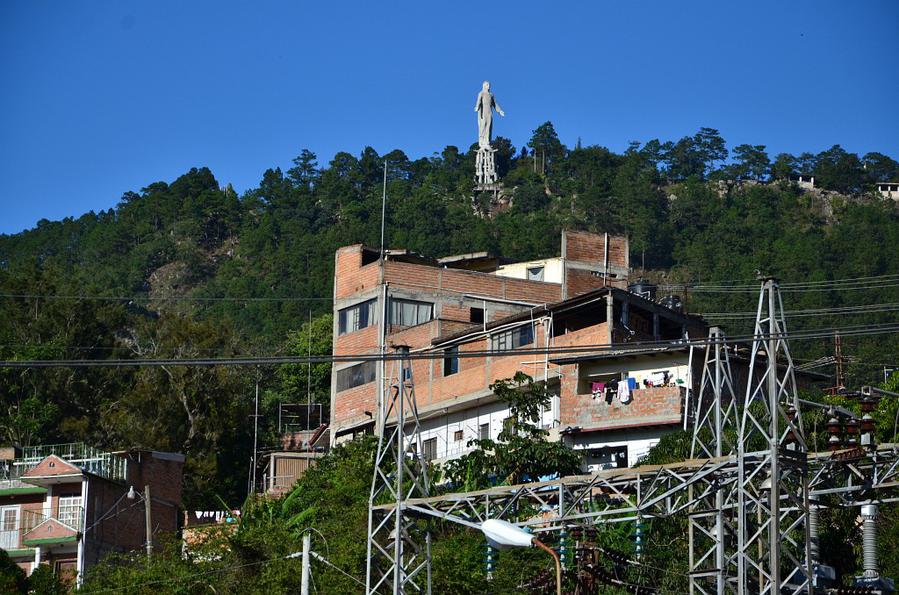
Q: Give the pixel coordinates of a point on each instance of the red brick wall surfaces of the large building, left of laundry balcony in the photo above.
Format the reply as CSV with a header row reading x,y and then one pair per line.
x,y
361,275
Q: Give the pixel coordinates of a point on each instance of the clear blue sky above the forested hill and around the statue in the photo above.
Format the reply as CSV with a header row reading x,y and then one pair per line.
x,y
103,97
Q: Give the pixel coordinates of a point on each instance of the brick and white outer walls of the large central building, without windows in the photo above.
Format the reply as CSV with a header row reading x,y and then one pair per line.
x,y
454,407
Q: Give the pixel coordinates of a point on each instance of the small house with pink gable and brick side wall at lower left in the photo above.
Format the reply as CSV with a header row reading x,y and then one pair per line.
x,y
67,505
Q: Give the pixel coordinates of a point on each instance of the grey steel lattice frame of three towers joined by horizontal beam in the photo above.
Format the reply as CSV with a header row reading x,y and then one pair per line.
x,y
746,494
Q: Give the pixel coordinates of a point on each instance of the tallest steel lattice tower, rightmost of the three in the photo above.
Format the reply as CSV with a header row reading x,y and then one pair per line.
x,y
772,492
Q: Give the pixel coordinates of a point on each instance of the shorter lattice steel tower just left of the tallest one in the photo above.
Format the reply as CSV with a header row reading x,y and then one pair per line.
x,y
714,435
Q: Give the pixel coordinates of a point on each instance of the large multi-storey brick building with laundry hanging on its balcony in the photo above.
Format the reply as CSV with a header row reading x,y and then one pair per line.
x,y
477,303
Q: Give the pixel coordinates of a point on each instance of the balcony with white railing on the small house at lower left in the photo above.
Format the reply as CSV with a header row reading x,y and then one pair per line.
x,y
22,529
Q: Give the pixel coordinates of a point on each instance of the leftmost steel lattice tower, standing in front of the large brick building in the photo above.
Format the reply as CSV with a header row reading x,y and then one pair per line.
x,y
399,545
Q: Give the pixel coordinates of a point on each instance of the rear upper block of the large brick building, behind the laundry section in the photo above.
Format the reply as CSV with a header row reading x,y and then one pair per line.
x,y
422,299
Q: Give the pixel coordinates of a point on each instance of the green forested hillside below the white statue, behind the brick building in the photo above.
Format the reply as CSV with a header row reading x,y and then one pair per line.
x,y
191,269
